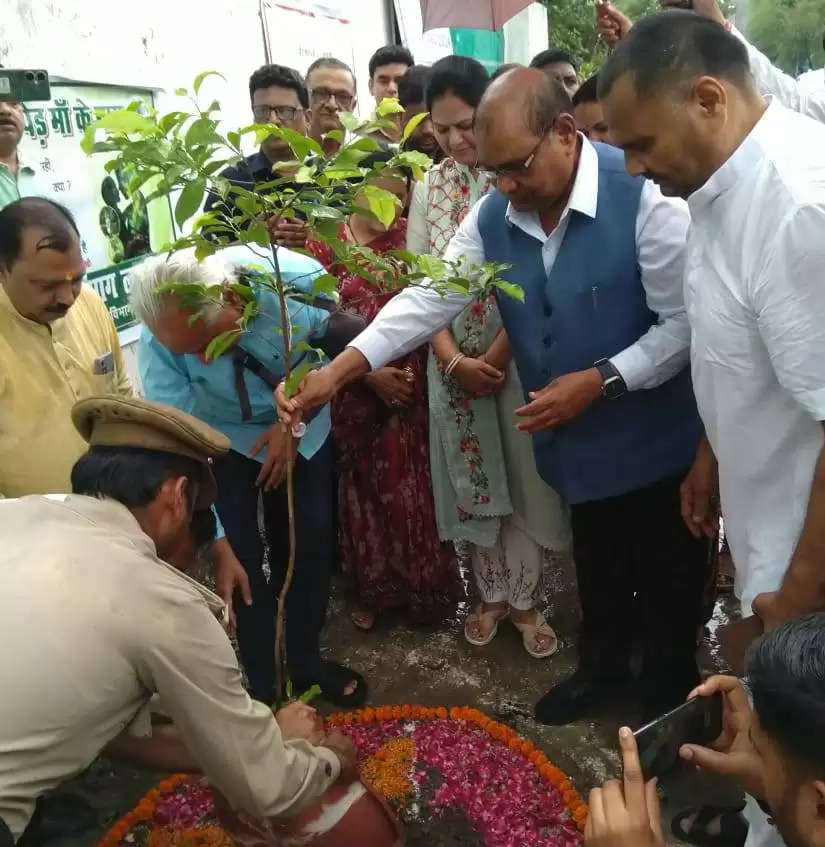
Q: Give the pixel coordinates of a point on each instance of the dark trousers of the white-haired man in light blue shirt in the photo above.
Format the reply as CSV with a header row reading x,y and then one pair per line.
x,y
237,504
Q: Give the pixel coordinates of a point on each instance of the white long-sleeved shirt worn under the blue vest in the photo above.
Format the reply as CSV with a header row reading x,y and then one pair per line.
x,y
411,318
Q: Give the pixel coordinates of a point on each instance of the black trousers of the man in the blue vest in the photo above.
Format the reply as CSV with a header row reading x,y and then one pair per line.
x,y
637,544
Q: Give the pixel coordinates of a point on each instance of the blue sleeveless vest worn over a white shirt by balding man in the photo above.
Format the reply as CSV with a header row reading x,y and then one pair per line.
x,y
592,307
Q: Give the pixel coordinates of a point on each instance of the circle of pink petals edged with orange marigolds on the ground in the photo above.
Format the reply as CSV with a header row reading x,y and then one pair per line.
x,y
180,811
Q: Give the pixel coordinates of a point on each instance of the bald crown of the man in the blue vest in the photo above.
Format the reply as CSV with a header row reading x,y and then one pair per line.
x,y
523,97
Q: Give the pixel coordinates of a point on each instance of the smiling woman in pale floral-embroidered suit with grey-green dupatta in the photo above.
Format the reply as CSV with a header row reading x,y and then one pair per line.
x,y
487,490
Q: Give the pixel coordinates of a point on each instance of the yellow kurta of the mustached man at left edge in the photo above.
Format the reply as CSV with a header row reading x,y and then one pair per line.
x,y
44,370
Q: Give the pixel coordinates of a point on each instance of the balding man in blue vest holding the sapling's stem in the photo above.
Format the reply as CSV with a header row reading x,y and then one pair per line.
x,y
601,344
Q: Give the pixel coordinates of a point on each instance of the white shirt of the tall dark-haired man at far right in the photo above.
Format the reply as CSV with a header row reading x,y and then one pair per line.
x,y
756,300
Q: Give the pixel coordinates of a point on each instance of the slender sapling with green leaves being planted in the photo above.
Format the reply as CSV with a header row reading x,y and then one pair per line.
x,y
181,155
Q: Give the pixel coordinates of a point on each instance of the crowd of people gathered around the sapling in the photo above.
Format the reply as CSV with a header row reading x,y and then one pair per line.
x,y
664,220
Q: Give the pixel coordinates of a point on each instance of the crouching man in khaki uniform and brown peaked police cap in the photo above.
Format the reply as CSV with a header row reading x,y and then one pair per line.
x,y
103,570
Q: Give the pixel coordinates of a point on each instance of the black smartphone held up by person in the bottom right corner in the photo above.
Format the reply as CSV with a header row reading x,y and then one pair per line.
x,y
697,721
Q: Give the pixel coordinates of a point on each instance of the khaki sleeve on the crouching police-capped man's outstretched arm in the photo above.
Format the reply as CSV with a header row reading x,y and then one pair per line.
x,y
189,661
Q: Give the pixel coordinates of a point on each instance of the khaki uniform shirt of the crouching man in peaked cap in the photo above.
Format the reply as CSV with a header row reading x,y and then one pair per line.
x,y
93,624
